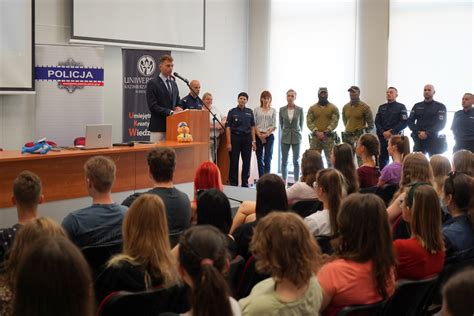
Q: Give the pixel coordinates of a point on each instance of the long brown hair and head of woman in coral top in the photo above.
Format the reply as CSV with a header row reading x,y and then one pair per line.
x,y
361,215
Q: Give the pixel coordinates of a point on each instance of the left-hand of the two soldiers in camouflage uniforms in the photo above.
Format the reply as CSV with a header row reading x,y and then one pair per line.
x,y
322,120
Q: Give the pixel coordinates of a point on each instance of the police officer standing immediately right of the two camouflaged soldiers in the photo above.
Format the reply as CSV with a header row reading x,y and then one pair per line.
x,y
391,119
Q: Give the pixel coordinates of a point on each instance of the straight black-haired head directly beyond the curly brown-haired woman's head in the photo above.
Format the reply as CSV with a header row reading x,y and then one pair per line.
x,y
271,195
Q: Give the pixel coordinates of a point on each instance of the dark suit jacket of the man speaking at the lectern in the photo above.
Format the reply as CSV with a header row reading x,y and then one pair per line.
x,y
160,103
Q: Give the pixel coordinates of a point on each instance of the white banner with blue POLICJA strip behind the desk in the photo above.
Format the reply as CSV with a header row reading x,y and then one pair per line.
x,y
69,91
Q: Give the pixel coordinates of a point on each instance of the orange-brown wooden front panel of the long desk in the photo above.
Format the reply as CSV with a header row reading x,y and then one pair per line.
x,y
62,173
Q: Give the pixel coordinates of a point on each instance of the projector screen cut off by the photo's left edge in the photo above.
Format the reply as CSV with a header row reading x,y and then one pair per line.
x,y
16,46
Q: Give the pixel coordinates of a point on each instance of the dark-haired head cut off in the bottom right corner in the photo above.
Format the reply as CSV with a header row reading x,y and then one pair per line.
x,y
458,292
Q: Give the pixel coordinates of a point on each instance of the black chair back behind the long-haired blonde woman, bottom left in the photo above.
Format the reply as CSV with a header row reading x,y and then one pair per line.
x,y
146,303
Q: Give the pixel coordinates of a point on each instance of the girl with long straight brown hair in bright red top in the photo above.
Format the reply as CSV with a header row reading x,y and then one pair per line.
x,y
421,256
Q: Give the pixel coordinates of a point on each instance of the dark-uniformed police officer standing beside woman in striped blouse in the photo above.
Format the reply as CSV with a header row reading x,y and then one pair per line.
x,y
240,133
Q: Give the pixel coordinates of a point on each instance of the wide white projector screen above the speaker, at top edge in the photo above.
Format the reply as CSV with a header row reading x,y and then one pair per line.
x,y
160,23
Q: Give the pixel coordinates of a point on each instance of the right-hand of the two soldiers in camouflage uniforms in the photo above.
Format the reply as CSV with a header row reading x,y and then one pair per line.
x,y
357,118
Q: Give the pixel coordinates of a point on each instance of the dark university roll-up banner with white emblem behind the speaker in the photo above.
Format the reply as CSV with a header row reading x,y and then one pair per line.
x,y
139,67
